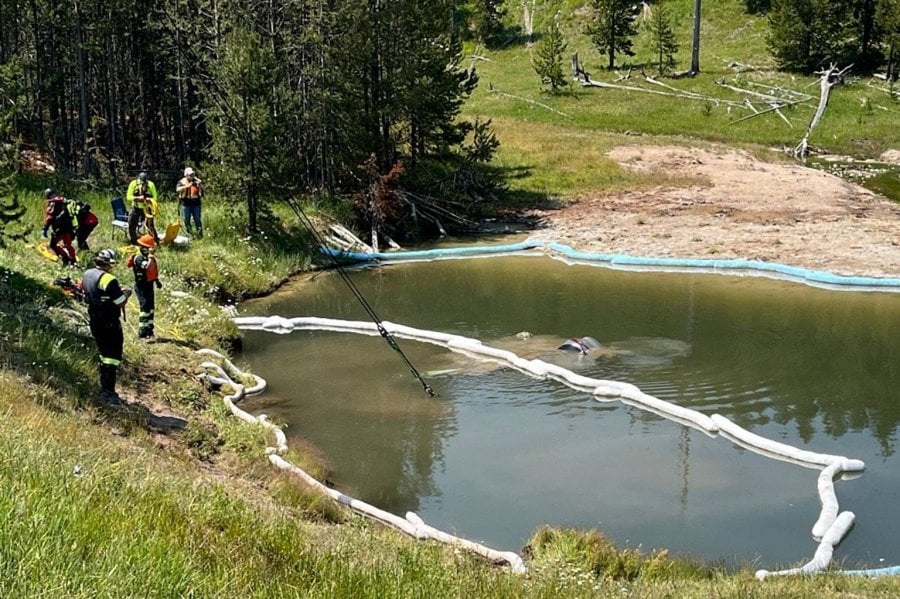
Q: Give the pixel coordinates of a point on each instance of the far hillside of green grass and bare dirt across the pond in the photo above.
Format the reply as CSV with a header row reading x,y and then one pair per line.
x,y
668,168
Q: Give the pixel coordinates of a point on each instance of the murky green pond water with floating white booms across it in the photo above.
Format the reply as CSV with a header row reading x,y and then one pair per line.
x,y
497,453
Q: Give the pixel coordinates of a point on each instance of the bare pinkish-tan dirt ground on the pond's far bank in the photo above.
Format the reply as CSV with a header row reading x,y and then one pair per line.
x,y
741,208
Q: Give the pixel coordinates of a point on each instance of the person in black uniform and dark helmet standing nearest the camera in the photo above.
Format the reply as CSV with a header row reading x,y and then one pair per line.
x,y
106,303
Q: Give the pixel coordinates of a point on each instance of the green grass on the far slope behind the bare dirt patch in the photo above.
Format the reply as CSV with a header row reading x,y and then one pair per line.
x,y
554,145
